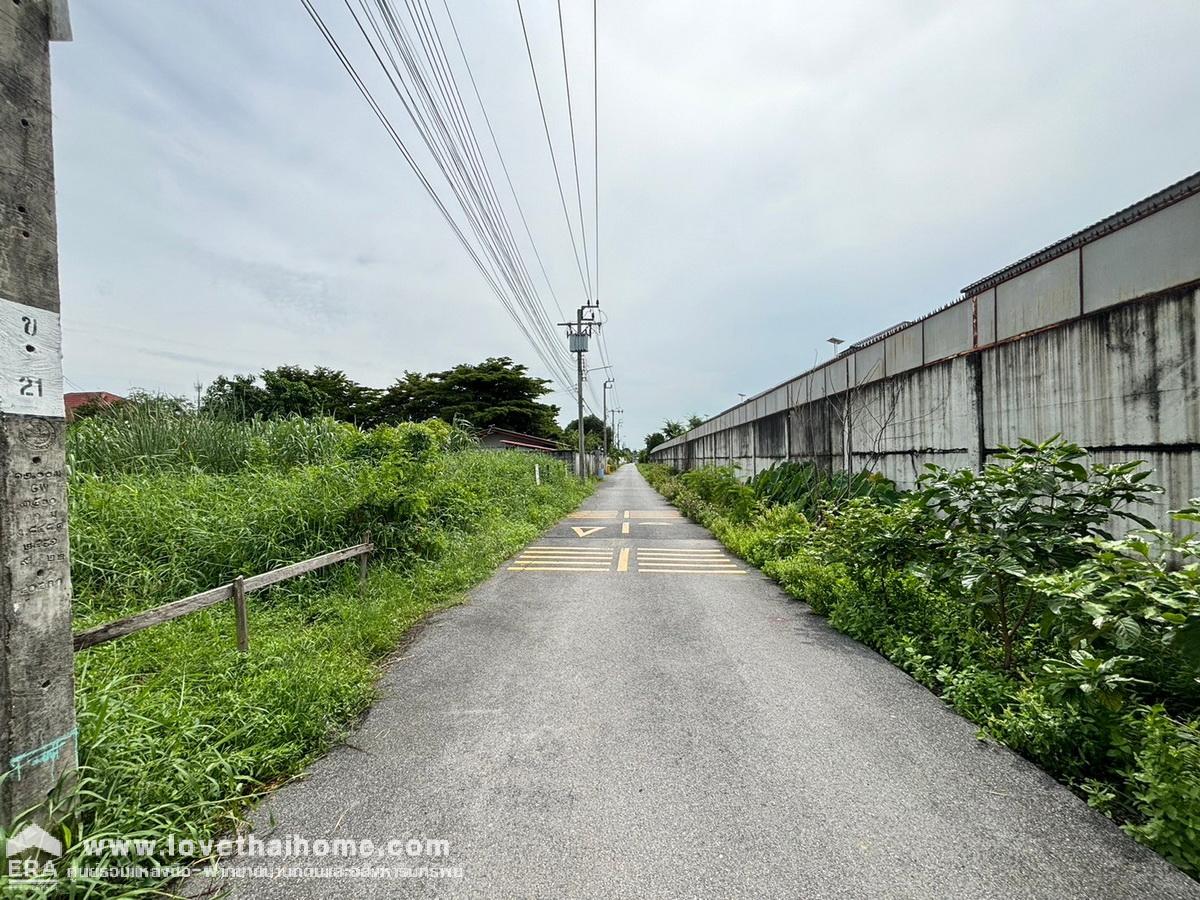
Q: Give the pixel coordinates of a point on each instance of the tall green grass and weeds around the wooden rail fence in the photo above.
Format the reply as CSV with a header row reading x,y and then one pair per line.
x,y
178,729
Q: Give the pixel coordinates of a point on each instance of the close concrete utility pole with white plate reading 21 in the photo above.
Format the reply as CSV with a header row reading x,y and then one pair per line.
x,y
38,728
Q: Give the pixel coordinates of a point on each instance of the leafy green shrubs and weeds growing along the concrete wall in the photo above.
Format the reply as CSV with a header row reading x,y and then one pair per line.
x,y
1004,592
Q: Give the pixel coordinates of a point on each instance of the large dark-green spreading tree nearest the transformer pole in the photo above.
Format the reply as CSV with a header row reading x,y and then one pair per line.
x,y
496,393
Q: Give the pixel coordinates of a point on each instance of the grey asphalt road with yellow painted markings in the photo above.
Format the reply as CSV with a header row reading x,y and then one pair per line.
x,y
631,713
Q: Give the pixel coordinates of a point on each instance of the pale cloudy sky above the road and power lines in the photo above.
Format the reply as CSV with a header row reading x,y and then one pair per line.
x,y
772,175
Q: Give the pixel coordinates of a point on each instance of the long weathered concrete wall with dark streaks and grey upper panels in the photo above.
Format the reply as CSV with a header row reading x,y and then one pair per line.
x,y
1095,339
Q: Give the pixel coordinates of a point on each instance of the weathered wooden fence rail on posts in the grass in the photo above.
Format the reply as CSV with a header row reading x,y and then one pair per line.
x,y
235,591
